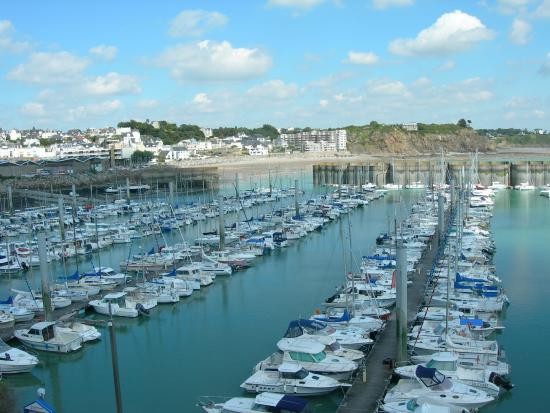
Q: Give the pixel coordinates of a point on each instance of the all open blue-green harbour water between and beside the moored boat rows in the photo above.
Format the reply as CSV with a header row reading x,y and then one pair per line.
x,y
208,344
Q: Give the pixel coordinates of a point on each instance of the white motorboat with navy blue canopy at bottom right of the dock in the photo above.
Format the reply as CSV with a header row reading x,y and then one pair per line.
x,y
432,385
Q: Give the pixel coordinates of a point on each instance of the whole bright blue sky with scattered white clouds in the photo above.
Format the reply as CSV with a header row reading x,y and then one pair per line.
x,y
319,63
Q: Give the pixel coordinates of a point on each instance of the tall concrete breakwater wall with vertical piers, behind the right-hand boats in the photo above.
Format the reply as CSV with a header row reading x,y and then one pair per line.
x,y
430,171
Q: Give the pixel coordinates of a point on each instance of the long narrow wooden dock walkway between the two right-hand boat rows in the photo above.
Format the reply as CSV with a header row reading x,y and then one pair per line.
x,y
370,384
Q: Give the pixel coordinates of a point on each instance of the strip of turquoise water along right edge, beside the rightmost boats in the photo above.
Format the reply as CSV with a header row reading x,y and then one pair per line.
x,y
521,226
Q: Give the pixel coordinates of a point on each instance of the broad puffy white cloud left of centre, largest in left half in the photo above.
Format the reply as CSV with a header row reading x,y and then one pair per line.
x,y
213,61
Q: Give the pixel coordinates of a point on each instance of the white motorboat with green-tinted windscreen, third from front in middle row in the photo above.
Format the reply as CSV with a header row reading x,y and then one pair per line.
x,y
311,355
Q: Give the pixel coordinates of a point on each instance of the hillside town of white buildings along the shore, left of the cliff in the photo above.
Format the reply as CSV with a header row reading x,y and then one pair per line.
x,y
122,142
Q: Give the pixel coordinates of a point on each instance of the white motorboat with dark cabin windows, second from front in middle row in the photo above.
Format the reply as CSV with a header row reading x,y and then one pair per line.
x,y
290,378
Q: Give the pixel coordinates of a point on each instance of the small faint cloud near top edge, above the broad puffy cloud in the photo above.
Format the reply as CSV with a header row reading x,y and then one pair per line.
x,y
195,22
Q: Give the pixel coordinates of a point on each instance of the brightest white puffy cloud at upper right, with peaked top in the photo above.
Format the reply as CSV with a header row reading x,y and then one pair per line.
x,y
452,32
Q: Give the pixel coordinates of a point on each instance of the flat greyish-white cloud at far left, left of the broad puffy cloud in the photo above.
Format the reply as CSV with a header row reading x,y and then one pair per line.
x,y
49,68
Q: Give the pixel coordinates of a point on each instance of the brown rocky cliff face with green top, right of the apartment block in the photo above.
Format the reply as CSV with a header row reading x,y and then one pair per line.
x,y
394,140
